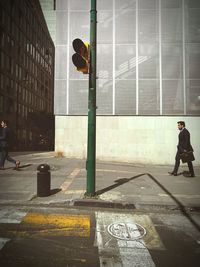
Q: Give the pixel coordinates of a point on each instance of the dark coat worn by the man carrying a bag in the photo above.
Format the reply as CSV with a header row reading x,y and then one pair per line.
x,y
184,141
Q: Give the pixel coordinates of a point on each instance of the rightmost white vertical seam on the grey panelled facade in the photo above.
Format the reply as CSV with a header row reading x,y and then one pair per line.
x,y
183,38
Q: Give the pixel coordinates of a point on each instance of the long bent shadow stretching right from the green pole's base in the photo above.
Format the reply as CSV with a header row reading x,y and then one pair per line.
x,y
122,181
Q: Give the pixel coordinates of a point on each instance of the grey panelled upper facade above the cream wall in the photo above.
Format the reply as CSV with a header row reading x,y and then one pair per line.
x,y
148,57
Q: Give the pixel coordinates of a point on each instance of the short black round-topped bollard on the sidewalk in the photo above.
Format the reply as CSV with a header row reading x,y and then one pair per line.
x,y
43,180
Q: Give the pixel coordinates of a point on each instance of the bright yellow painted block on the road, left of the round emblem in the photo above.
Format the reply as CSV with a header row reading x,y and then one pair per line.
x,y
57,225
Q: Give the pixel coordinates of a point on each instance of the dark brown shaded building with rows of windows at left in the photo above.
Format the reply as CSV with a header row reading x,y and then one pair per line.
x,y
27,74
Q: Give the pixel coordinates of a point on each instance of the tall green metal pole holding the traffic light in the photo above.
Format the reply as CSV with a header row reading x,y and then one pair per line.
x,y
91,144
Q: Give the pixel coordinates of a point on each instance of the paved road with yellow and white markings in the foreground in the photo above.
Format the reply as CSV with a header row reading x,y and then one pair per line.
x,y
60,237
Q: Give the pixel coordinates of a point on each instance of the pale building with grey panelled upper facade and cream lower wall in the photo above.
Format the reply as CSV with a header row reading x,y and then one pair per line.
x,y
148,61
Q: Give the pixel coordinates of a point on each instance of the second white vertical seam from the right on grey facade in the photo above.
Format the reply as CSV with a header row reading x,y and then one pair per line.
x,y
160,54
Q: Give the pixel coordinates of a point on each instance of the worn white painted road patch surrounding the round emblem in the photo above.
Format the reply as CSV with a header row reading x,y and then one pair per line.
x,y
114,252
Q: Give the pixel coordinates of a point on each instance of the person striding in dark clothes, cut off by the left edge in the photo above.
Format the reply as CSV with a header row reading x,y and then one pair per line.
x,y
4,146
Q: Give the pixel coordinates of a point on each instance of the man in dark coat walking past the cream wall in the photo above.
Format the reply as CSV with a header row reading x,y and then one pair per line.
x,y
184,145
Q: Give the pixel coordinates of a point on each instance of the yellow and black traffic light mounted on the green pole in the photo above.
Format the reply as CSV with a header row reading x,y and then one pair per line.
x,y
81,58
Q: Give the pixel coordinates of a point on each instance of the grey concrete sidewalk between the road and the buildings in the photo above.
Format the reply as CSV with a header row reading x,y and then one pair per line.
x,y
120,185
